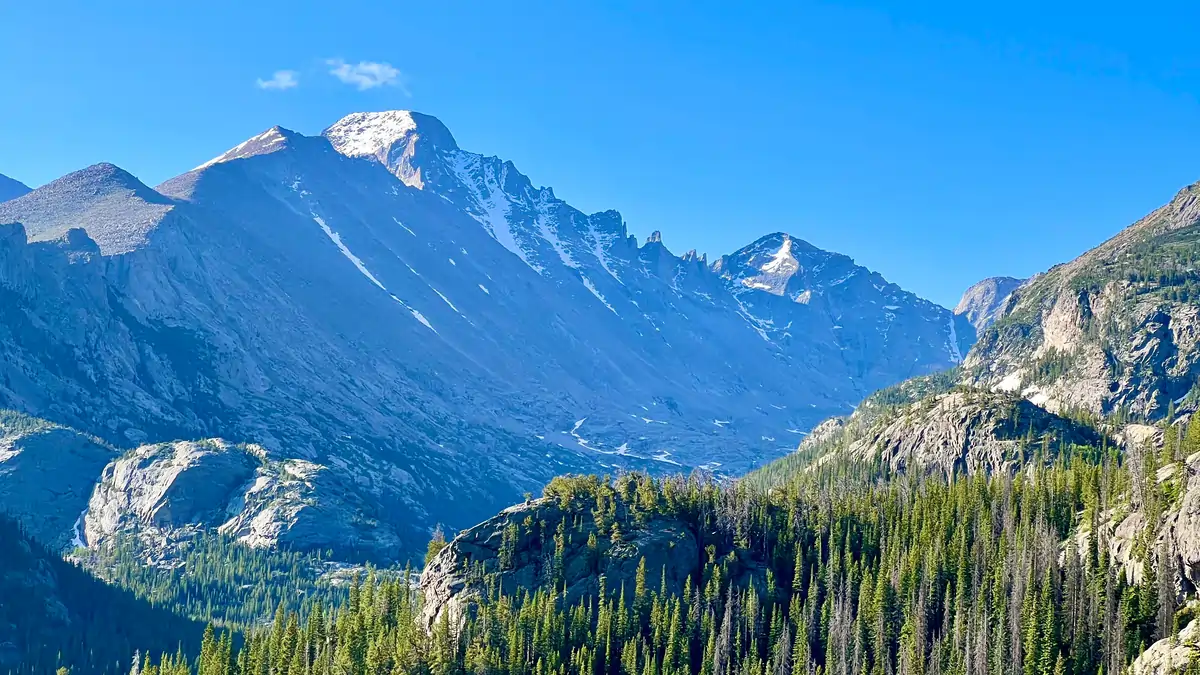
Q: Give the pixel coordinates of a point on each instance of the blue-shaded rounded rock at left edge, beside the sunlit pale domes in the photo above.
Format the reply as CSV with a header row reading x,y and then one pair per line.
x,y
47,475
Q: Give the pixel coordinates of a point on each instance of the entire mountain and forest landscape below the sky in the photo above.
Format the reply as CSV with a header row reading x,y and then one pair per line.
x,y
370,403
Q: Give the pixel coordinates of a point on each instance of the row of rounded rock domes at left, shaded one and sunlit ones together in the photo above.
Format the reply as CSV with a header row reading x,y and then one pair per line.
x,y
69,491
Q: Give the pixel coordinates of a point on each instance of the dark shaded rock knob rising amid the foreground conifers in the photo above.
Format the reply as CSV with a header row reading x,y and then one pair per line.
x,y
523,557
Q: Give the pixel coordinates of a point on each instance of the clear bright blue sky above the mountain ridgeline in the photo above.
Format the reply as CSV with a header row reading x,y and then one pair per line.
x,y
935,142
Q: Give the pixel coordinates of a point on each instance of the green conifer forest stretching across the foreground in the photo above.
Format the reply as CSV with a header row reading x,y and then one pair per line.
x,y
979,576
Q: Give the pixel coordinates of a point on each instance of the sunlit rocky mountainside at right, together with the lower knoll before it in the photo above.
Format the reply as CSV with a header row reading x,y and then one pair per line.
x,y
1107,339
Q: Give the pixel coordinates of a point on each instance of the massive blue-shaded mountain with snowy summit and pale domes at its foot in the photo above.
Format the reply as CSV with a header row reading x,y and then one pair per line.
x,y
392,333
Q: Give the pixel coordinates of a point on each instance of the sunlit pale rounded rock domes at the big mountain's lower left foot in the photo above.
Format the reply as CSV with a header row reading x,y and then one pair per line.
x,y
169,492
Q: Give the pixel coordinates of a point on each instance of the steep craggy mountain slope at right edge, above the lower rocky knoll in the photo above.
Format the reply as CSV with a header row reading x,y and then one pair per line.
x,y
1115,330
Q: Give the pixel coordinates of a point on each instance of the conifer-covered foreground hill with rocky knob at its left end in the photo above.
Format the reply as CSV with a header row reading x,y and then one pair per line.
x,y
831,571
